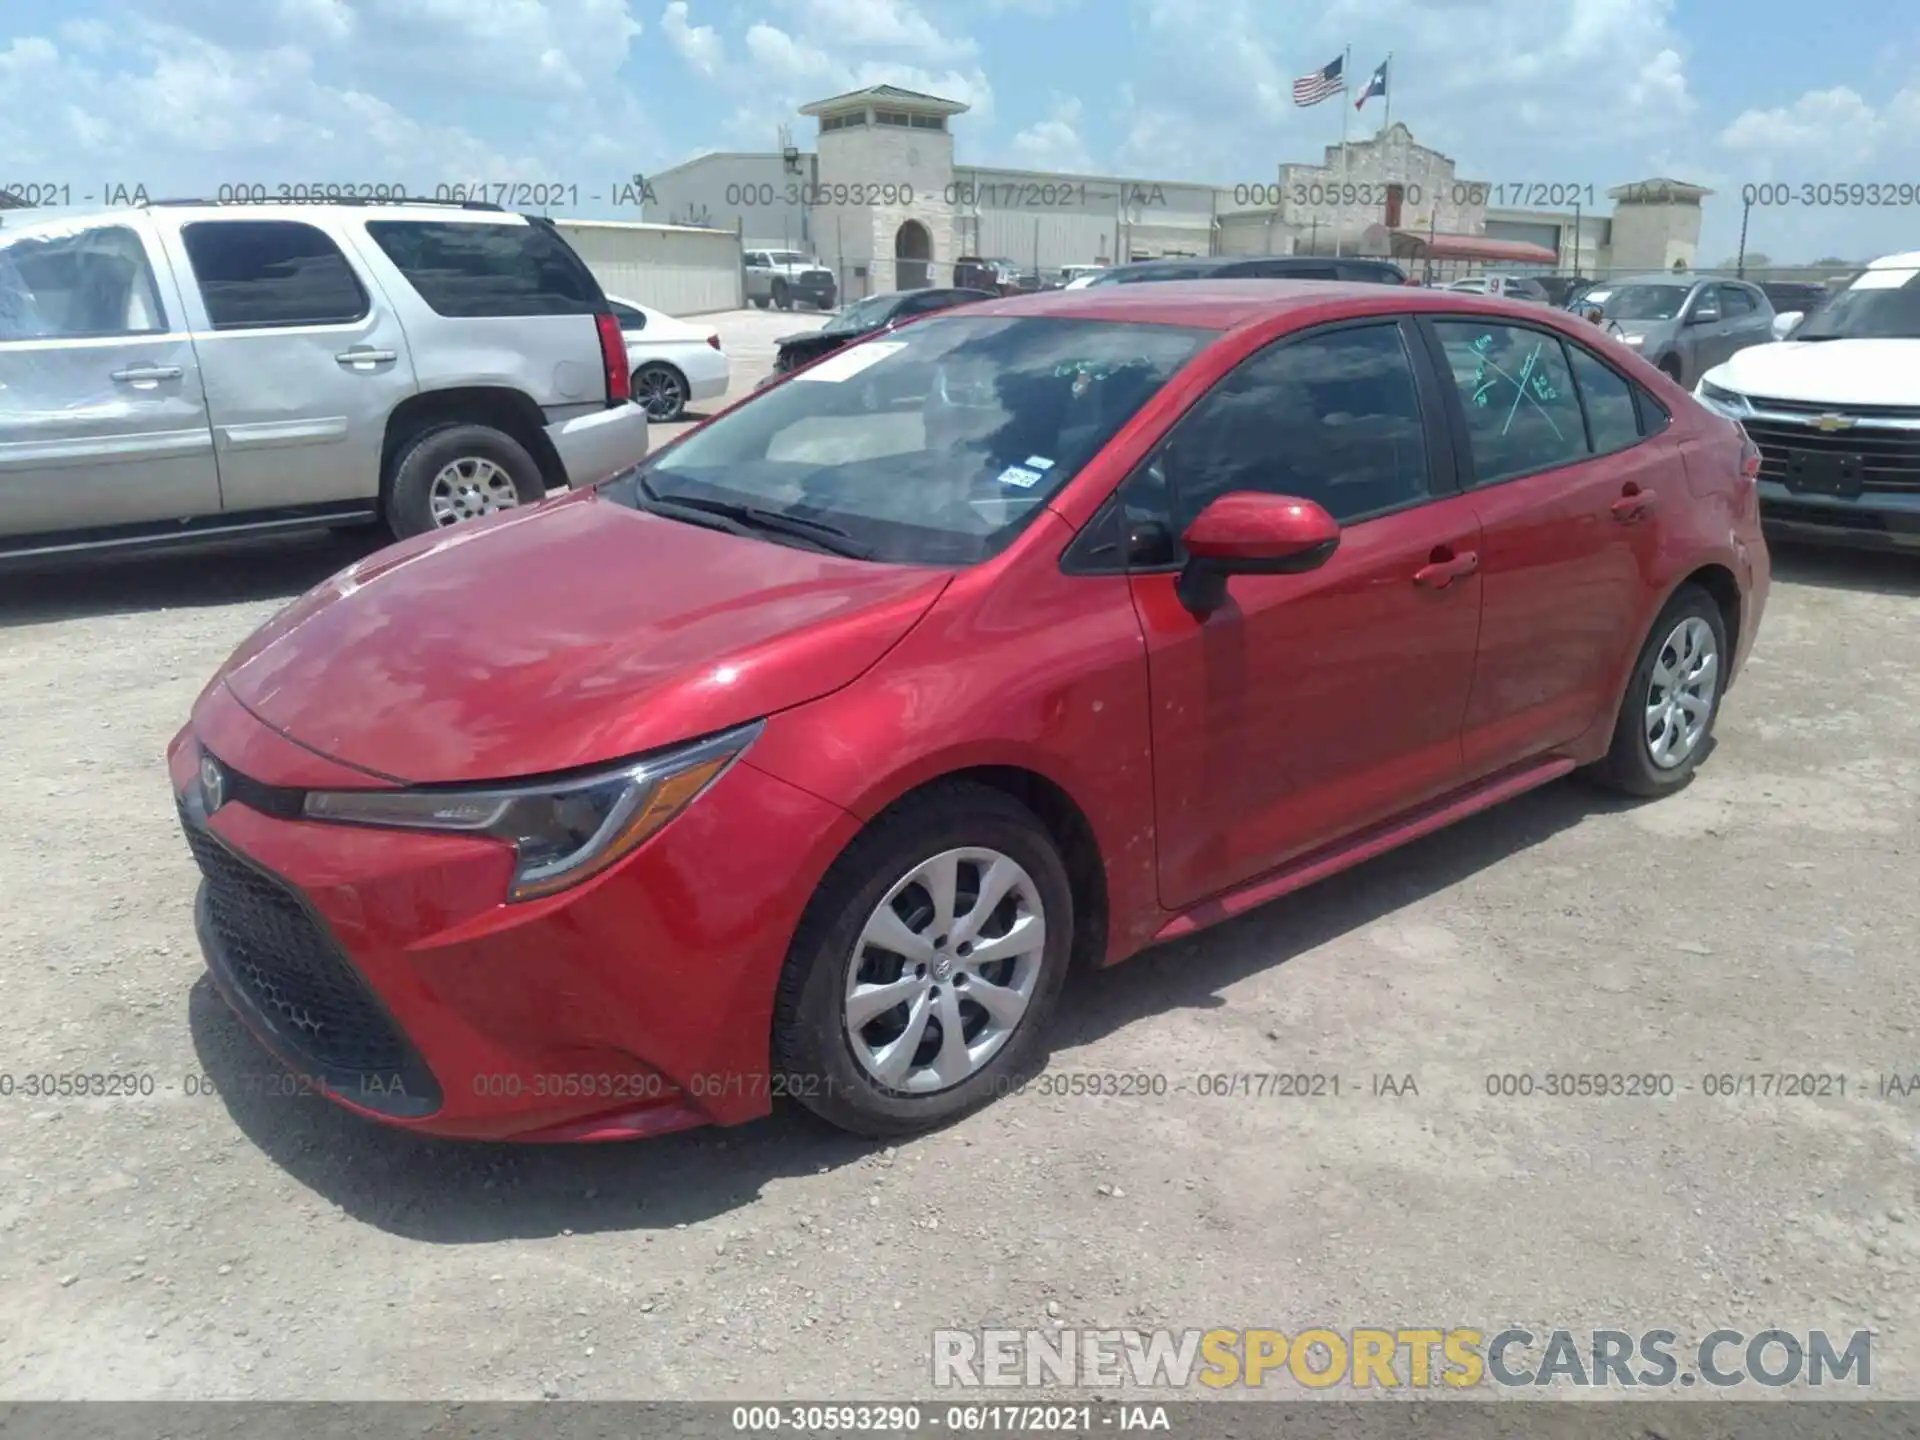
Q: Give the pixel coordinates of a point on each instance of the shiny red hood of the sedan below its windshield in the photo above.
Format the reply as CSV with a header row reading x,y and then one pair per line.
x,y
564,636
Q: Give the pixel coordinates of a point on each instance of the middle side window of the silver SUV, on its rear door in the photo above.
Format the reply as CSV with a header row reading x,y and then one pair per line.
x,y
272,274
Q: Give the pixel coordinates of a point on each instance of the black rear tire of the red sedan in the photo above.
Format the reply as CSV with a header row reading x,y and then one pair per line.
x,y
1633,763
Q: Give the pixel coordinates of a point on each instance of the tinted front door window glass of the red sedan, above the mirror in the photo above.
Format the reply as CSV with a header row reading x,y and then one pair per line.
x,y
1332,418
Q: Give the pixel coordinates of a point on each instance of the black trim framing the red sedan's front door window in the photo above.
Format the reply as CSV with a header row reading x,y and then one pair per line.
x,y
1443,462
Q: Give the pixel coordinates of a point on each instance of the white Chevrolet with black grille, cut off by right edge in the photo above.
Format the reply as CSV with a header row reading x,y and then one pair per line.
x,y
1836,414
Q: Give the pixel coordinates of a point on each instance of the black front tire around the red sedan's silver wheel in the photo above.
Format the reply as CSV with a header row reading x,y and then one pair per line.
x,y
815,1040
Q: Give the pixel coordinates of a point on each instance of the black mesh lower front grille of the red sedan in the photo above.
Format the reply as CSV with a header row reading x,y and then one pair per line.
x,y
291,971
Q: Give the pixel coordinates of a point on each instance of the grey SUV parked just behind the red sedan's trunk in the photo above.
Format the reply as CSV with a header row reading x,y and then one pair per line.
x,y
1683,324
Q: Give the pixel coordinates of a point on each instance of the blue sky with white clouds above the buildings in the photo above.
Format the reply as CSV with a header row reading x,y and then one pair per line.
x,y
181,97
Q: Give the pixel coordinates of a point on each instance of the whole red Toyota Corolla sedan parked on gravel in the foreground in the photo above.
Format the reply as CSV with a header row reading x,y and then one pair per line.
x,y
807,757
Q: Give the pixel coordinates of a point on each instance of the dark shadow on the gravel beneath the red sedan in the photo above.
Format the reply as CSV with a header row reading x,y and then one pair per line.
x,y
460,1193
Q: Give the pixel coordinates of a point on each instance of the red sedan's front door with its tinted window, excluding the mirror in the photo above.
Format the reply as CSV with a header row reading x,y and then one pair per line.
x,y
1310,706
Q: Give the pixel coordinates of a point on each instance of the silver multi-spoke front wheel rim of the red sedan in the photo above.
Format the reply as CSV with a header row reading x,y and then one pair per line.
x,y
944,971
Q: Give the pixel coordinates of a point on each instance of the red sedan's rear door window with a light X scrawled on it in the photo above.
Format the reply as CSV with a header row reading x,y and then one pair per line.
x,y
1522,408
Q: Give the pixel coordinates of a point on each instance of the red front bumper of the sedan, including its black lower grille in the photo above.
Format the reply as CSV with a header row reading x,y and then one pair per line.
x,y
387,967
